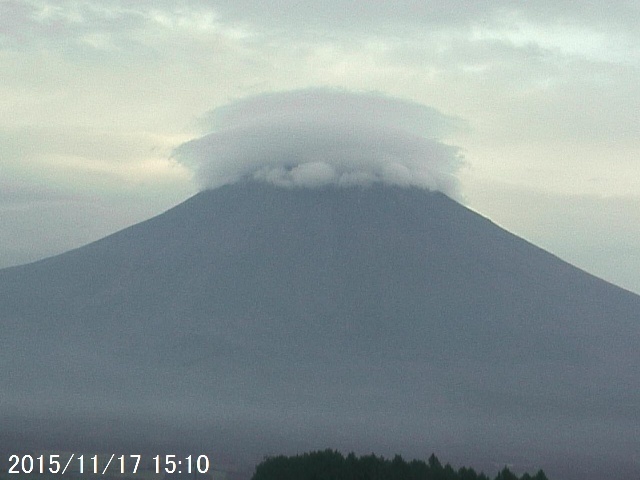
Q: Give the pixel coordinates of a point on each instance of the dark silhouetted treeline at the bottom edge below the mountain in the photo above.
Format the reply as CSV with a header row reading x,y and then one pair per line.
x,y
332,465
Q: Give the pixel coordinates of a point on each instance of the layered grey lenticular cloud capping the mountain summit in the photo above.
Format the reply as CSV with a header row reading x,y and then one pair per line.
x,y
312,138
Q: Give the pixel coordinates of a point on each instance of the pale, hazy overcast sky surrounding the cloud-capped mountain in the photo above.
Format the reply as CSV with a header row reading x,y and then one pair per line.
x,y
96,95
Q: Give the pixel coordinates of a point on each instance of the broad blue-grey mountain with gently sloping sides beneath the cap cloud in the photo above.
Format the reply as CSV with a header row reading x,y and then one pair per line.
x,y
253,320
